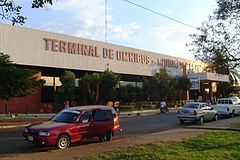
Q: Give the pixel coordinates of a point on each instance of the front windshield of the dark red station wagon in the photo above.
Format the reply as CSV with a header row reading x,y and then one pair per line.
x,y
66,116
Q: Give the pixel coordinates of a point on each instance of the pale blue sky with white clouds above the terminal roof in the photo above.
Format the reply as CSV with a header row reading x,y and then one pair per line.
x,y
127,24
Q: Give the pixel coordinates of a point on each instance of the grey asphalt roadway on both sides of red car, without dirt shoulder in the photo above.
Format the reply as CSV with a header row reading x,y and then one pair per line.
x,y
11,140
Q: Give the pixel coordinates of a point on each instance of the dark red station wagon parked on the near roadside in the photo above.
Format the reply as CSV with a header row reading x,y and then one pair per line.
x,y
73,125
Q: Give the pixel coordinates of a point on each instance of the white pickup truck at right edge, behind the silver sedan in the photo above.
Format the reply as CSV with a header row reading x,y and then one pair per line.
x,y
228,106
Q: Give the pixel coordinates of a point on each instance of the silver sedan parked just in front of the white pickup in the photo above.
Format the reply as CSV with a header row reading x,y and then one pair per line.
x,y
196,111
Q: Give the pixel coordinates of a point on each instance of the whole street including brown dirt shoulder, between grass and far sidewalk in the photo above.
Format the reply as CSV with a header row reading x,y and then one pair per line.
x,y
12,145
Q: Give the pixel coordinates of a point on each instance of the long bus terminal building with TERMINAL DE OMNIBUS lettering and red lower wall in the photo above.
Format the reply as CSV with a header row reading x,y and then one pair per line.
x,y
51,54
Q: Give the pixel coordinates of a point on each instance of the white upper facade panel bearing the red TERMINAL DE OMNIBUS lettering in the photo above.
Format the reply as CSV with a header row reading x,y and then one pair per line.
x,y
39,48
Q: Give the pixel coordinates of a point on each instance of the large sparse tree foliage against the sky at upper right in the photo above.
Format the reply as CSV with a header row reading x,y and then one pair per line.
x,y
217,41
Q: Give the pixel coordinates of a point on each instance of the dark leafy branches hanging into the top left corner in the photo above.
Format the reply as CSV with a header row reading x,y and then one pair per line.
x,y
12,12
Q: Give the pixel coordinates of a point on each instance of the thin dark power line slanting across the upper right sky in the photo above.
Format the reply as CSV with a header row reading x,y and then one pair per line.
x,y
148,9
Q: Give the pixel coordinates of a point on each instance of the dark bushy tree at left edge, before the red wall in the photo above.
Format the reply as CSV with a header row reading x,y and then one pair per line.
x,y
14,81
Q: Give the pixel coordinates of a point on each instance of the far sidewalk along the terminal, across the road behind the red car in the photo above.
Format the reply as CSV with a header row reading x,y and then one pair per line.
x,y
21,120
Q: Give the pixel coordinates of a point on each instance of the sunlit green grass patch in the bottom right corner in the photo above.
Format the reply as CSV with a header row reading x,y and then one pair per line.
x,y
211,146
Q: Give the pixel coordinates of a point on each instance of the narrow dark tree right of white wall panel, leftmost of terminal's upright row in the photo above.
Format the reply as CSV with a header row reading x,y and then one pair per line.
x,y
66,90
